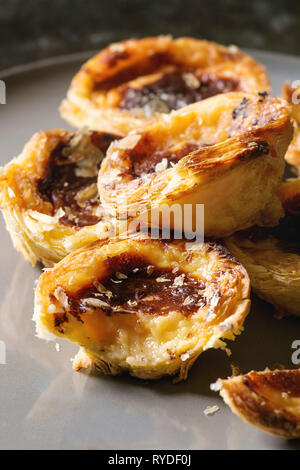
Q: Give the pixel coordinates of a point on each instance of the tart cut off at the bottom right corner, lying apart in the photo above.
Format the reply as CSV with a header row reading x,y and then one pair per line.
x,y
269,400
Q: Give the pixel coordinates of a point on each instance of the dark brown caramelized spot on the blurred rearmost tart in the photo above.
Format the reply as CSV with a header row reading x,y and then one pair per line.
x,y
174,91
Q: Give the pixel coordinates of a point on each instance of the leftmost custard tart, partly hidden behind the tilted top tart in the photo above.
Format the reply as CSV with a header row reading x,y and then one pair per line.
x,y
49,196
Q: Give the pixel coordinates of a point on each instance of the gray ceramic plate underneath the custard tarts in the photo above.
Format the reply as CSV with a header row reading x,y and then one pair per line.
x,y
44,404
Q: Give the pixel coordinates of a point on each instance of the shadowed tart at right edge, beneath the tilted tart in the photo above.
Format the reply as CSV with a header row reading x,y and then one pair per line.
x,y
272,256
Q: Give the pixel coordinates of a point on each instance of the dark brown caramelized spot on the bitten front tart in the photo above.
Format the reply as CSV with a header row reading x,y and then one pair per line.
x,y
132,285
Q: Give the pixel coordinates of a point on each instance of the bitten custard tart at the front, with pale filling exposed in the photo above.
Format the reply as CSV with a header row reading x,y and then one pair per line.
x,y
143,306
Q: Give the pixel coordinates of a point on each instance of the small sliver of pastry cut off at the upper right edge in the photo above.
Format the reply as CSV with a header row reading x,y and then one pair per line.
x,y
292,95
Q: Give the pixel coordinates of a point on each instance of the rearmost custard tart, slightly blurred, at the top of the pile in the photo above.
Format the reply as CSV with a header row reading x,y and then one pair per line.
x,y
129,83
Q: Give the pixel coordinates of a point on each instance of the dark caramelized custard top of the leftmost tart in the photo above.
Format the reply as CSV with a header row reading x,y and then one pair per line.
x,y
70,181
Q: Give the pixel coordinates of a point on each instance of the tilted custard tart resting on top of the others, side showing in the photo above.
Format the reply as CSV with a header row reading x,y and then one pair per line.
x,y
226,152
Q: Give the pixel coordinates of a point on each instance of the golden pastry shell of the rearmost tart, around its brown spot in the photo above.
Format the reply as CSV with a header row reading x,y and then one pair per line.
x,y
94,97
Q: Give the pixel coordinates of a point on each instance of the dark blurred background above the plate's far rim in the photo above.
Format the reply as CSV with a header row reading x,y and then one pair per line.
x,y
37,29
